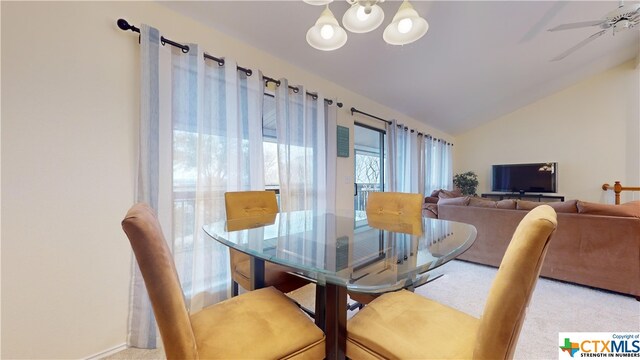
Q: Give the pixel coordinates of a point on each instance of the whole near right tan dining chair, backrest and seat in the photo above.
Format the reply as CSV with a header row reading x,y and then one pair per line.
x,y
403,325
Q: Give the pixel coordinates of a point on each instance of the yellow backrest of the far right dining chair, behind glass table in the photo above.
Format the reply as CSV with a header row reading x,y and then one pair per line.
x,y
394,203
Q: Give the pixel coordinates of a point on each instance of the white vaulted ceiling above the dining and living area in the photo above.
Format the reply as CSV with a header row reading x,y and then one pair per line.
x,y
479,59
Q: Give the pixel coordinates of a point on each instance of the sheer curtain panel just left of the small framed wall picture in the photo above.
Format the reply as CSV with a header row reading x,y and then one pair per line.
x,y
306,132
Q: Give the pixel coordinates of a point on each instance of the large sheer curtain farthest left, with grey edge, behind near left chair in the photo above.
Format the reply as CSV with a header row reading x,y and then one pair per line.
x,y
200,136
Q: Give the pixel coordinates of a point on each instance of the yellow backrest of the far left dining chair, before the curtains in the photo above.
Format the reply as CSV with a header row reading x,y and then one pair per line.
x,y
241,204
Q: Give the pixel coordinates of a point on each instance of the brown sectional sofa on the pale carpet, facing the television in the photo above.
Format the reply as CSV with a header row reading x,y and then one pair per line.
x,y
595,245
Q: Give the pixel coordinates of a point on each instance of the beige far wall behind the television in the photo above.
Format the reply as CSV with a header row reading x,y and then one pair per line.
x,y
592,129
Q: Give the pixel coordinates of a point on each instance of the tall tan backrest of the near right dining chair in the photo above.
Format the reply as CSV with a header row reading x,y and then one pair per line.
x,y
513,285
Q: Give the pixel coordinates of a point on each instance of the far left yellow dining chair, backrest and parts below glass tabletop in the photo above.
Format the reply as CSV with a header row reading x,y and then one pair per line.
x,y
243,204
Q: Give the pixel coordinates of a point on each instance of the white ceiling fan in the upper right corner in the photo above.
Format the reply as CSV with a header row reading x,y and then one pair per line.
x,y
623,18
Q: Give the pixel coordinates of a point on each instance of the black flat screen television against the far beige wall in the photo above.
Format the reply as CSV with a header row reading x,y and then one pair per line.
x,y
538,178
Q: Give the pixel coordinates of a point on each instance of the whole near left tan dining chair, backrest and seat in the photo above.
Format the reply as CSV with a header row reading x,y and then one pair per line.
x,y
262,324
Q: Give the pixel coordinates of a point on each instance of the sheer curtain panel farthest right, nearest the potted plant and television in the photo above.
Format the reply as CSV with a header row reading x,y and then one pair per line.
x,y
438,165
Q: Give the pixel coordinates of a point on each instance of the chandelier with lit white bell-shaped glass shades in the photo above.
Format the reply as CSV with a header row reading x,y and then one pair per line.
x,y
364,16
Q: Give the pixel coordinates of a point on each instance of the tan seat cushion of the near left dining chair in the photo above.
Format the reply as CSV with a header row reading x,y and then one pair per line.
x,y
261,324
